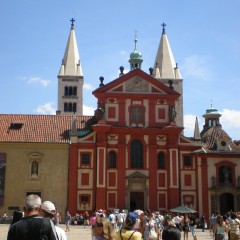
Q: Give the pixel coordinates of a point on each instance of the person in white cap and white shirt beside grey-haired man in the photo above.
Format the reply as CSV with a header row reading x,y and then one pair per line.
x,y
48,210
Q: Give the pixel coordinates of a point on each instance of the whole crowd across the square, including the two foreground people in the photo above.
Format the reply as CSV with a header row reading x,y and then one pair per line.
x,y
40,222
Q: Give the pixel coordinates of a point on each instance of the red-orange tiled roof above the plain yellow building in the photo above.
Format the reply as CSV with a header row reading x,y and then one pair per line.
x,y
38,128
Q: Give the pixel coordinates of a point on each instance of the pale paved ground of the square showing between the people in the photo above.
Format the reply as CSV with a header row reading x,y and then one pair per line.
x,y
80,233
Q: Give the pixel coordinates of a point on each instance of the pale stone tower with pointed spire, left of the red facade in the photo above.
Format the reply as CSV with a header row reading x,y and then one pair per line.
x,y
70,79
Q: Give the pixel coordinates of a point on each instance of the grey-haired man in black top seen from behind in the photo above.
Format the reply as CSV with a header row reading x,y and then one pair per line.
x,y
32,226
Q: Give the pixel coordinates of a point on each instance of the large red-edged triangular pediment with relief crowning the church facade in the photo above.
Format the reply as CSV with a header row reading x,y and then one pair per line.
x,y
136,81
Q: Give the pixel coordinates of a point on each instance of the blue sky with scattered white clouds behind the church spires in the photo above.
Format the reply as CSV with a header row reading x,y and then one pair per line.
x,y
204,37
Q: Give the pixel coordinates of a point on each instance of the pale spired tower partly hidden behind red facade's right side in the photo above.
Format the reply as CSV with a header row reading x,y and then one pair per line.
x,y
167,72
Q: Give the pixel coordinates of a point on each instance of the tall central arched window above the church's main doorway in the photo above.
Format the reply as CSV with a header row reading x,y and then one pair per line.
x,y
136,154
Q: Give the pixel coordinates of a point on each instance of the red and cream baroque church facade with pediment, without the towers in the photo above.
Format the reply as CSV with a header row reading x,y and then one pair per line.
x,y
134,156
